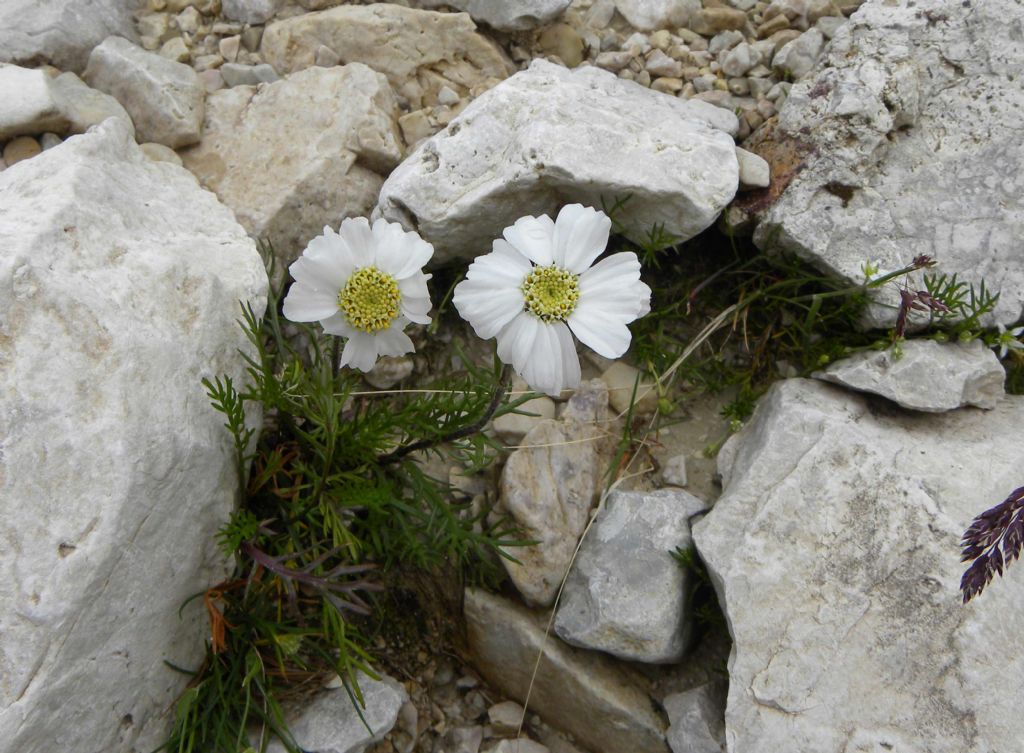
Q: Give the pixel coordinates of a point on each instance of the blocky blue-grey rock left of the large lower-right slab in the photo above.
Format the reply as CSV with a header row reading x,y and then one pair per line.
x,y
626,595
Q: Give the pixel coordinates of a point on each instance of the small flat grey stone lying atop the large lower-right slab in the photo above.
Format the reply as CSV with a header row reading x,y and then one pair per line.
x,y
929,376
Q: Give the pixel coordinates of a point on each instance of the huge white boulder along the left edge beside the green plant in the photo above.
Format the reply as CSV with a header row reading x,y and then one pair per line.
x,y
121,282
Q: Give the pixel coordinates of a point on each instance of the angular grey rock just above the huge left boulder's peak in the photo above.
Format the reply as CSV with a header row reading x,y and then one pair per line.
x,y
163,98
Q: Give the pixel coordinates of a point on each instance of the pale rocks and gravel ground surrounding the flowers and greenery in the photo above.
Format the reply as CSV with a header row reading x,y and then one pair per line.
x,y
145,148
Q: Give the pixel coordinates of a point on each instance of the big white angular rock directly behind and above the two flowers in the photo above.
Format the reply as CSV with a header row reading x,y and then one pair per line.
x,y
549,137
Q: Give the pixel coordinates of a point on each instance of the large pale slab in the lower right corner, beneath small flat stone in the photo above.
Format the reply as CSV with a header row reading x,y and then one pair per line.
x,y
835,554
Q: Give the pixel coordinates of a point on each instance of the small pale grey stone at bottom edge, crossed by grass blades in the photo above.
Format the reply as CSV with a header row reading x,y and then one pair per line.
x,y
331,725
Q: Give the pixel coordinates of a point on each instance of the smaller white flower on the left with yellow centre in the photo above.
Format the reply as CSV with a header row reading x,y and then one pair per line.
x,y
363,283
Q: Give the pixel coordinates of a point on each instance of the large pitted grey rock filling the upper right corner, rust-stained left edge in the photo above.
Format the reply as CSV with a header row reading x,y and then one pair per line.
x,y
906,140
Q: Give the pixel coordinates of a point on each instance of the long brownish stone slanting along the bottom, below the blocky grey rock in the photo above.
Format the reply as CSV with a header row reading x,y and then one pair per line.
x,y
594,698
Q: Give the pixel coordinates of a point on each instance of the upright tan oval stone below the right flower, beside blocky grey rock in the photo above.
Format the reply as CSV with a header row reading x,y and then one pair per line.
x,y
548,487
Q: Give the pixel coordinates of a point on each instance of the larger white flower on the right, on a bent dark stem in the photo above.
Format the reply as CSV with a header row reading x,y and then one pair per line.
x,y
537,289
